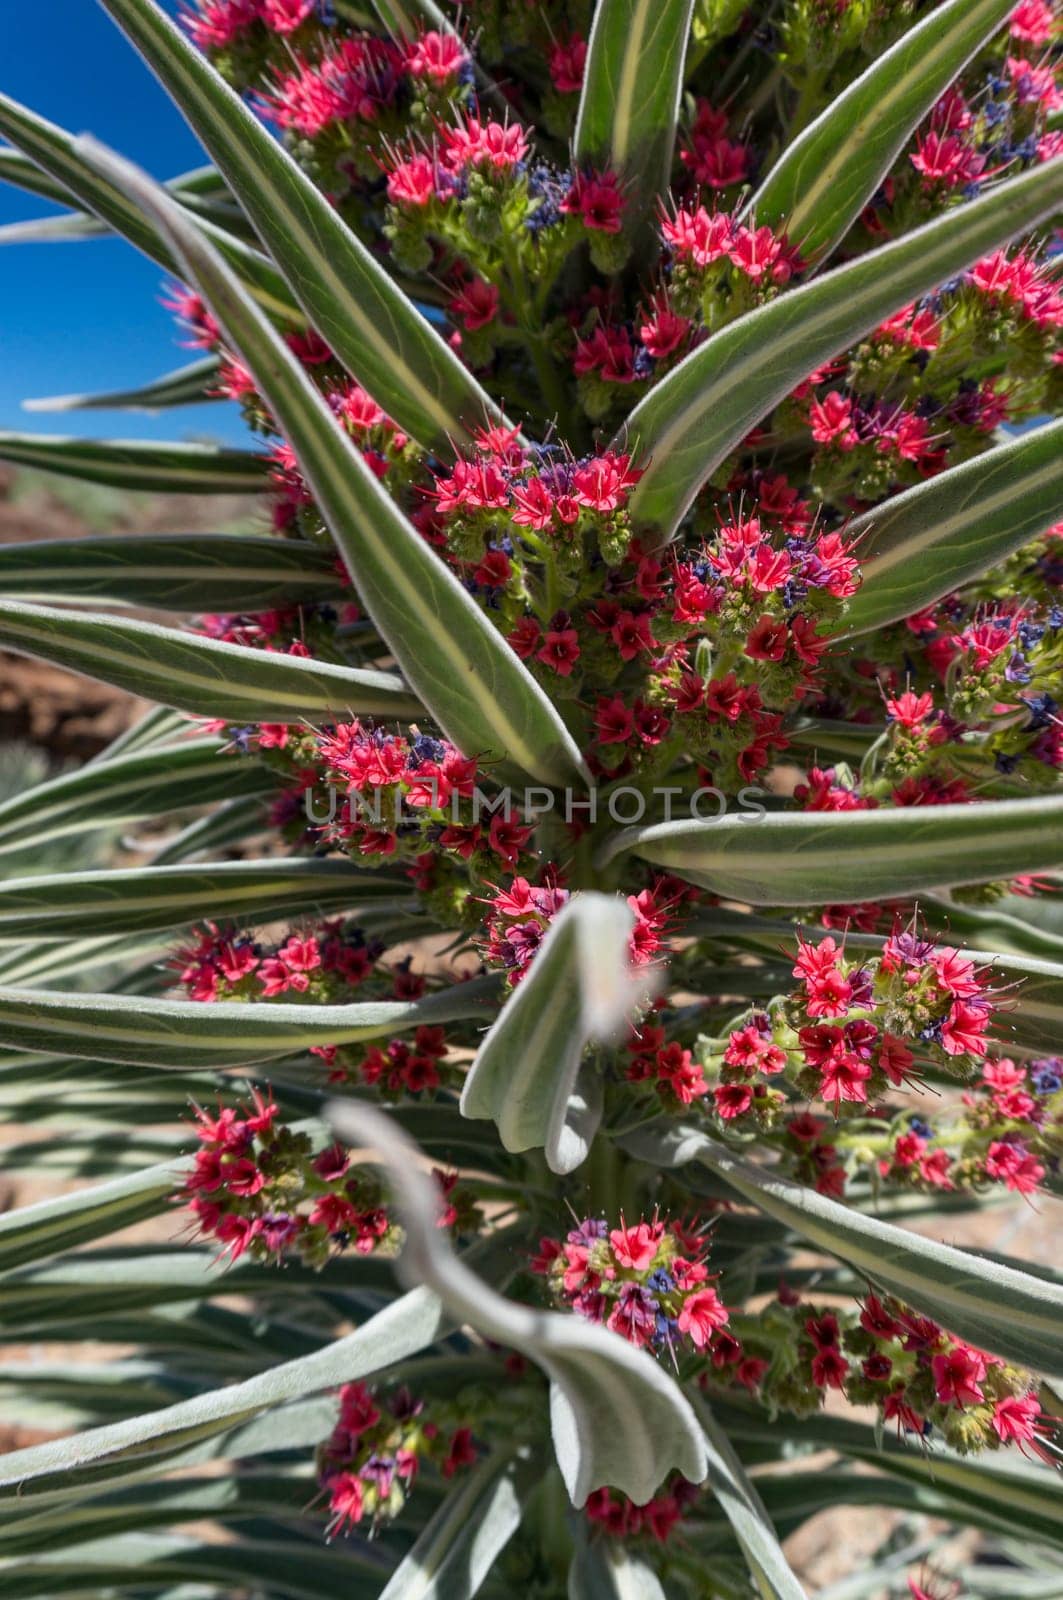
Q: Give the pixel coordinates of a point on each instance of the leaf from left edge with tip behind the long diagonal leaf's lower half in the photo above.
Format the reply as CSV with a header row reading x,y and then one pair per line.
x,y
201,676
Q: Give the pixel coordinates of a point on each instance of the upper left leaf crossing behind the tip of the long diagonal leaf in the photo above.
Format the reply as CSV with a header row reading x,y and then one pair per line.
x,y
55,151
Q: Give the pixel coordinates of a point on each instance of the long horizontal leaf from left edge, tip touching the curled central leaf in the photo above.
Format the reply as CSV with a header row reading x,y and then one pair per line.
x,y
190,1036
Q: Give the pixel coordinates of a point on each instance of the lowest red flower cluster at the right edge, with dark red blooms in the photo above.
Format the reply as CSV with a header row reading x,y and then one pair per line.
x,y
913,1372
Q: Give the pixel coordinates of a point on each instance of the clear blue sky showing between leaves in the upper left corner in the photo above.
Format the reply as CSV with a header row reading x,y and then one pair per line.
x,y
86,318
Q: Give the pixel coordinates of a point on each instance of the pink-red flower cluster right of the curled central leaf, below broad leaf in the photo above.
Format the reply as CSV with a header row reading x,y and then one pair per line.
x,y
854,1028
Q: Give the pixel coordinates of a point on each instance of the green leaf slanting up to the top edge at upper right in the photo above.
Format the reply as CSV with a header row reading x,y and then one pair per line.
x,y
825,178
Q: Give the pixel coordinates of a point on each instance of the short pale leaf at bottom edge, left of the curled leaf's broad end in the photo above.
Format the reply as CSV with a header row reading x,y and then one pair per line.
x,y
459,1546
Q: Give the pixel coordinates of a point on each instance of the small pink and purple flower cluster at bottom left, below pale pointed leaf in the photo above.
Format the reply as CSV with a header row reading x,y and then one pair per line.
x,y
380,1444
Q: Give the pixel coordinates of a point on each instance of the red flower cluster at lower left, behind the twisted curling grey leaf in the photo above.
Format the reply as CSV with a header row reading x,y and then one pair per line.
x,y
262,1190
